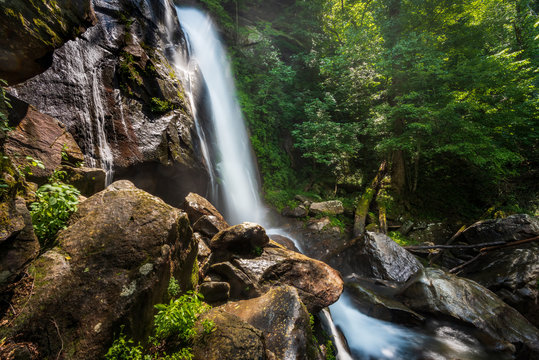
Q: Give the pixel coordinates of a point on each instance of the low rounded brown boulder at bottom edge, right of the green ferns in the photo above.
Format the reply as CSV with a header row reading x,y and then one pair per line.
x,y
232,339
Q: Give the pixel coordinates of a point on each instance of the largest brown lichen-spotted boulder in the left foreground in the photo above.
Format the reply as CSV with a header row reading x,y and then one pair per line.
x,y
112,264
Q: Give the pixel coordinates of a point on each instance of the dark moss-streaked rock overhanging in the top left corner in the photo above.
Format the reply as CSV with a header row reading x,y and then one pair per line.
x,y
31,30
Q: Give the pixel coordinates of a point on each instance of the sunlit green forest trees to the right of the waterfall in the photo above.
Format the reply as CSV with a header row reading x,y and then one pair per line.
x,y
445,91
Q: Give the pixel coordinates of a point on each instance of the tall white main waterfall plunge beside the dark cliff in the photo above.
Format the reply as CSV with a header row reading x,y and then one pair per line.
x,y
233,157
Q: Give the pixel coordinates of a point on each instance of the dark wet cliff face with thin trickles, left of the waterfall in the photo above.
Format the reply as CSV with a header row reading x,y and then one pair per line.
x,y
117,91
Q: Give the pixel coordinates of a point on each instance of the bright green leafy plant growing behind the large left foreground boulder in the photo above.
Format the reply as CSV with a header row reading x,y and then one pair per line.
x,y
55,204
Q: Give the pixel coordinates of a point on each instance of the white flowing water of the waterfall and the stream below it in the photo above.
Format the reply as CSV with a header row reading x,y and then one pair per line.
x,y
235,174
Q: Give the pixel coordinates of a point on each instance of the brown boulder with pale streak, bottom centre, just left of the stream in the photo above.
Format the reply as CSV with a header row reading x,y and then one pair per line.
x,y
282,318
